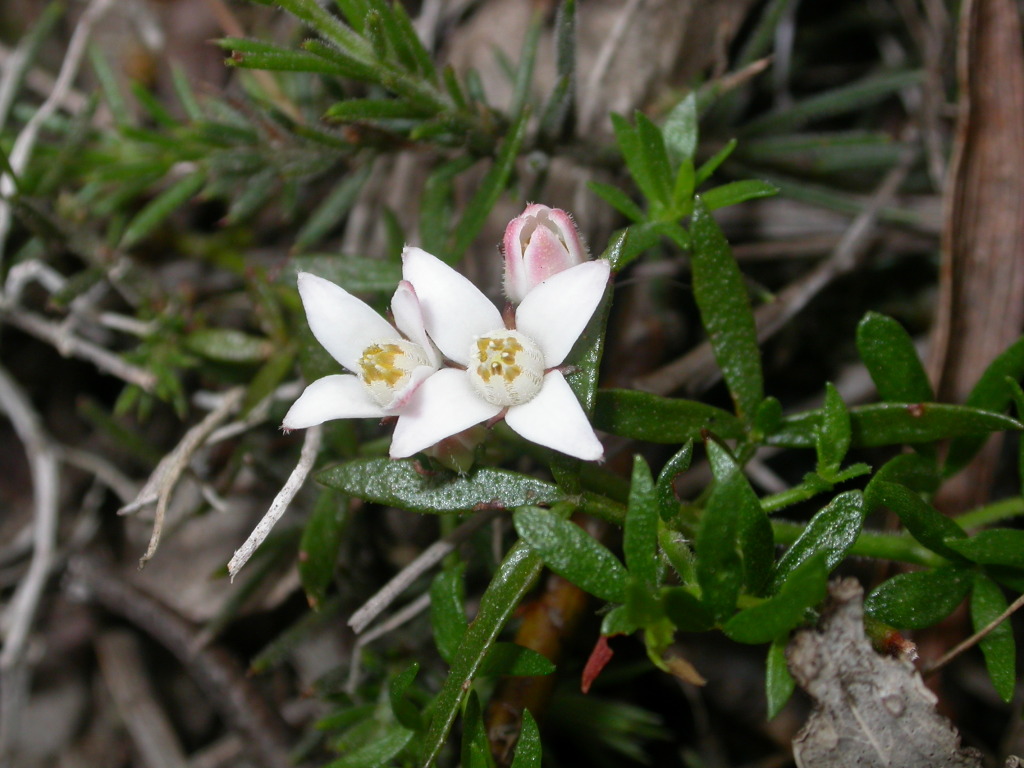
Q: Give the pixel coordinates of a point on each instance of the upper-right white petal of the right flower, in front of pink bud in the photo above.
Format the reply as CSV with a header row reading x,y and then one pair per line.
x,y
557,312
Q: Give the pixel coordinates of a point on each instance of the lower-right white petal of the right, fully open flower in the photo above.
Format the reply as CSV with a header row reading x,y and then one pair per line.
x,y
556,419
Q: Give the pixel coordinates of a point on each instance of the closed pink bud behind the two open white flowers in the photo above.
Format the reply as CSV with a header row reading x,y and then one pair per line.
x,y
538,244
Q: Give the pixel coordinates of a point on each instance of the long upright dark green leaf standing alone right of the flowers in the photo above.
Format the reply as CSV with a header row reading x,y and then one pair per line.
x,y
726,313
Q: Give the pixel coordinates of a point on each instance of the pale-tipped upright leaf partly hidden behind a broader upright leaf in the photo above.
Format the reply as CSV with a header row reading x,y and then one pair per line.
x,y
755,535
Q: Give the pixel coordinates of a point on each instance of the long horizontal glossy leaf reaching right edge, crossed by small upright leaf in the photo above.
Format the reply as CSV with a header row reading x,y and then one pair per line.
x,y
897,424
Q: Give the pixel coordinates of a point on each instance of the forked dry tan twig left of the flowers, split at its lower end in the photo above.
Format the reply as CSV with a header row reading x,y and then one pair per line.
x,y
161,484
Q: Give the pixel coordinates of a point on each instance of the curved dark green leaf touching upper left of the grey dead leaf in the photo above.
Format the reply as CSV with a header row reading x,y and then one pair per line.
x,y
774,619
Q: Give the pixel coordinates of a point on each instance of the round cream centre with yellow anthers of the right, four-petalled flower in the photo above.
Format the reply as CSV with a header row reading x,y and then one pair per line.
x,y
506,368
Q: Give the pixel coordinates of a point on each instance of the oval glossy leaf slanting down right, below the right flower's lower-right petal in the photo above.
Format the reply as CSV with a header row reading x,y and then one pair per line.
x,y
573,553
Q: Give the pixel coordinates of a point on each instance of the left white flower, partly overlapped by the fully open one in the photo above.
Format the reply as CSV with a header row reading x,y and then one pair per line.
x,y
390,366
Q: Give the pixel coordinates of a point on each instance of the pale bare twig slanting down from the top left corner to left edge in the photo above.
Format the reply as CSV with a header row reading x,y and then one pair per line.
x,y
26,141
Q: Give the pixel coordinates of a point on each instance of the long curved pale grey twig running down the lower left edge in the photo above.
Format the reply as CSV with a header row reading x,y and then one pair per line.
x,y
15,676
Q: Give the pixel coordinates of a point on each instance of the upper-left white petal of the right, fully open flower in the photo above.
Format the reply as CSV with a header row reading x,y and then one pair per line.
x,y
454,310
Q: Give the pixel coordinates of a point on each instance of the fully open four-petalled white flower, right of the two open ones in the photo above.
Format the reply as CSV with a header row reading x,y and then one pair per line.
x,y
507,371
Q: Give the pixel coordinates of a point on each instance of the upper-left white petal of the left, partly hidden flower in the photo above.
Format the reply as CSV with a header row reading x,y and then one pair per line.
x,y
343,324
